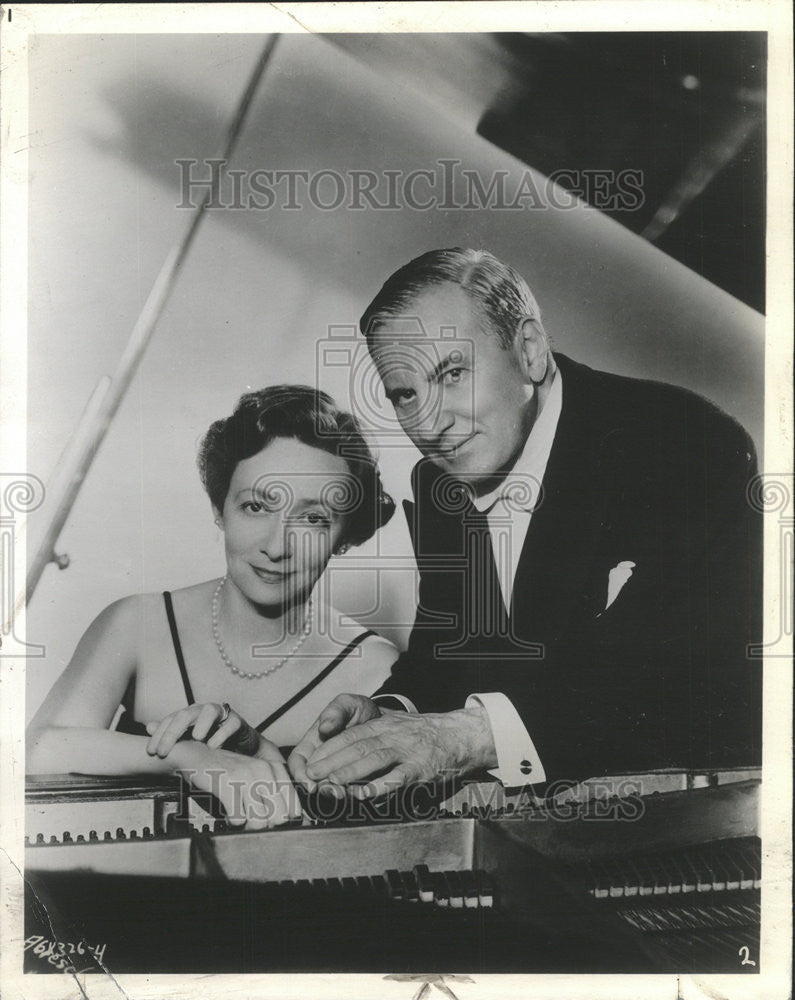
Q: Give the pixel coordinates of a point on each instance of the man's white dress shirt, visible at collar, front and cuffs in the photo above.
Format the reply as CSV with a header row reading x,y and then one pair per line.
x,y
509,512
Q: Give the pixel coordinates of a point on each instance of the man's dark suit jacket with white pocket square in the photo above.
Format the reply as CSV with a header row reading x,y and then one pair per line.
x,y
642,472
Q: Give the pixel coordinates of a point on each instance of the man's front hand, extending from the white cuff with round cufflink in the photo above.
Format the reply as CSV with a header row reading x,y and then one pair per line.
x,y
399,748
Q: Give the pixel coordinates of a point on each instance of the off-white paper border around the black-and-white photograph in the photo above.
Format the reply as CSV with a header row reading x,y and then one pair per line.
x,y
17,25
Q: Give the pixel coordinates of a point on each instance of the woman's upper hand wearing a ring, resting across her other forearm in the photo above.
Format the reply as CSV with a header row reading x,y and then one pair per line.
x,y
216,725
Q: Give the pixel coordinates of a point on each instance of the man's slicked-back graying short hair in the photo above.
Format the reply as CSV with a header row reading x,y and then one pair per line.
x,y
503,293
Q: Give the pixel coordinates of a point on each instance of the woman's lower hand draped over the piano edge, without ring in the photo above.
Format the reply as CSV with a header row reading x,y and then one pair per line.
x,y
255,793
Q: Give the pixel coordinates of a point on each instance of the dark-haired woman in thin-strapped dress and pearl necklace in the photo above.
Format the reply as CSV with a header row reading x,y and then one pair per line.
x,y
242,664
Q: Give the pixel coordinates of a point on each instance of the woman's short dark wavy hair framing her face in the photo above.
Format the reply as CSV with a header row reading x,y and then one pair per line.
x,y
311,417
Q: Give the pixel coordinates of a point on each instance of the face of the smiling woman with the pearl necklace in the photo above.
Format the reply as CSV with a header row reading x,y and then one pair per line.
x,y
282,519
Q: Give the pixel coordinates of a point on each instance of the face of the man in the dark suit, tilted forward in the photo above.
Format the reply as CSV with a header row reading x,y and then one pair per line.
x,y
461,396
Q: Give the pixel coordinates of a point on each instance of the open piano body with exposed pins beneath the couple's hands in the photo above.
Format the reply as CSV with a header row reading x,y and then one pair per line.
x,y
655,872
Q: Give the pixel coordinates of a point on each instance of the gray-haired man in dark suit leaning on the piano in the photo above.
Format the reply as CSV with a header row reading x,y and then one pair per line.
x,y
590,570
